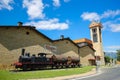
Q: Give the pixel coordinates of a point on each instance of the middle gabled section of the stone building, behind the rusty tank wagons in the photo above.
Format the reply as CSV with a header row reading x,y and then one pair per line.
x,y
66,47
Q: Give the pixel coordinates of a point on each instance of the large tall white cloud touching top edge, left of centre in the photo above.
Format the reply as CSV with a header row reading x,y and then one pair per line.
x,y
34,8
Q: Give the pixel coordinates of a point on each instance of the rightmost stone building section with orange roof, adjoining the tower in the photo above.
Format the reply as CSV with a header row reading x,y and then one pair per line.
x,y
87,56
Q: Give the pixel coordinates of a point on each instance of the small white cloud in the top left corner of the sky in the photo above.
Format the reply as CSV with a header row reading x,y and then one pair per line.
x,y
5,4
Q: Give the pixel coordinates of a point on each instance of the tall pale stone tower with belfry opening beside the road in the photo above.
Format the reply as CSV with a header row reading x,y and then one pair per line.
x,y
96,37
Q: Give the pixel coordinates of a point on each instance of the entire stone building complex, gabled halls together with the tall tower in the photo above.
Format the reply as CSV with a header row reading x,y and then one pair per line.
x,y
14,38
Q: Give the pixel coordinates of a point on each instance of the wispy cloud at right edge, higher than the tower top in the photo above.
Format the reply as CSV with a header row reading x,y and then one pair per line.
x,y
110,13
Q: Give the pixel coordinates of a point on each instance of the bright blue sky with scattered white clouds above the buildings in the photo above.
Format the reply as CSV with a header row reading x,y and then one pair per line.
x,y
70,18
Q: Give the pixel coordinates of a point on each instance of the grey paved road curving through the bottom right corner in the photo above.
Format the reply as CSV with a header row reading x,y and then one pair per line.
x,y
107,74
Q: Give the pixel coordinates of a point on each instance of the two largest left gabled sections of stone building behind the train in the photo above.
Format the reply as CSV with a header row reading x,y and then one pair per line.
x,y
14,38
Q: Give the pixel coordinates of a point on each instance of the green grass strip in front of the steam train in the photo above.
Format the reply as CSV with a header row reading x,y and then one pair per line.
x,y
22,75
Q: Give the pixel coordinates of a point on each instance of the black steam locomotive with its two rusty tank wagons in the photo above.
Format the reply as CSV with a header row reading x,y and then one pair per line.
x,y
44,61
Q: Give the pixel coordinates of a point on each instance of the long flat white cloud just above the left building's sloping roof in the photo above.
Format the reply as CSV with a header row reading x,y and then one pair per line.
x,y
50,24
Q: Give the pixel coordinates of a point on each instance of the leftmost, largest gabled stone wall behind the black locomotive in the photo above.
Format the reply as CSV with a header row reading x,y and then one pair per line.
x,y
13,39
